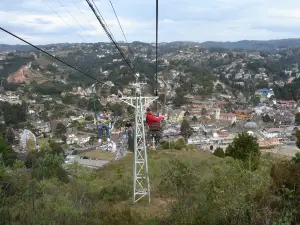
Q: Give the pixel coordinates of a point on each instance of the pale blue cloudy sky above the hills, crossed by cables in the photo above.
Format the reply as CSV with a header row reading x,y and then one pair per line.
x,y
72,21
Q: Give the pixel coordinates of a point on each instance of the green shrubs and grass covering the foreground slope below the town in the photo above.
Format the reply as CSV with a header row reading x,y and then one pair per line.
x,y
188,187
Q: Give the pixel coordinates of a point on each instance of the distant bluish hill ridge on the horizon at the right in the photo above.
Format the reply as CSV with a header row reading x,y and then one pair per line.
x,y
268,46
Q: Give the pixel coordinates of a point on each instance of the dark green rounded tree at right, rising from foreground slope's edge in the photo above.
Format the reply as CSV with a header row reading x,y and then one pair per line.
x,y
245,148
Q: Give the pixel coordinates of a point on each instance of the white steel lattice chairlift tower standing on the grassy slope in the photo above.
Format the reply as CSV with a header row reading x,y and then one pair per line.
x,y
141,183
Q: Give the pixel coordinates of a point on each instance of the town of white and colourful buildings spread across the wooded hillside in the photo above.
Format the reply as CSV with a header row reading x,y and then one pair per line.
x,y
240,92
